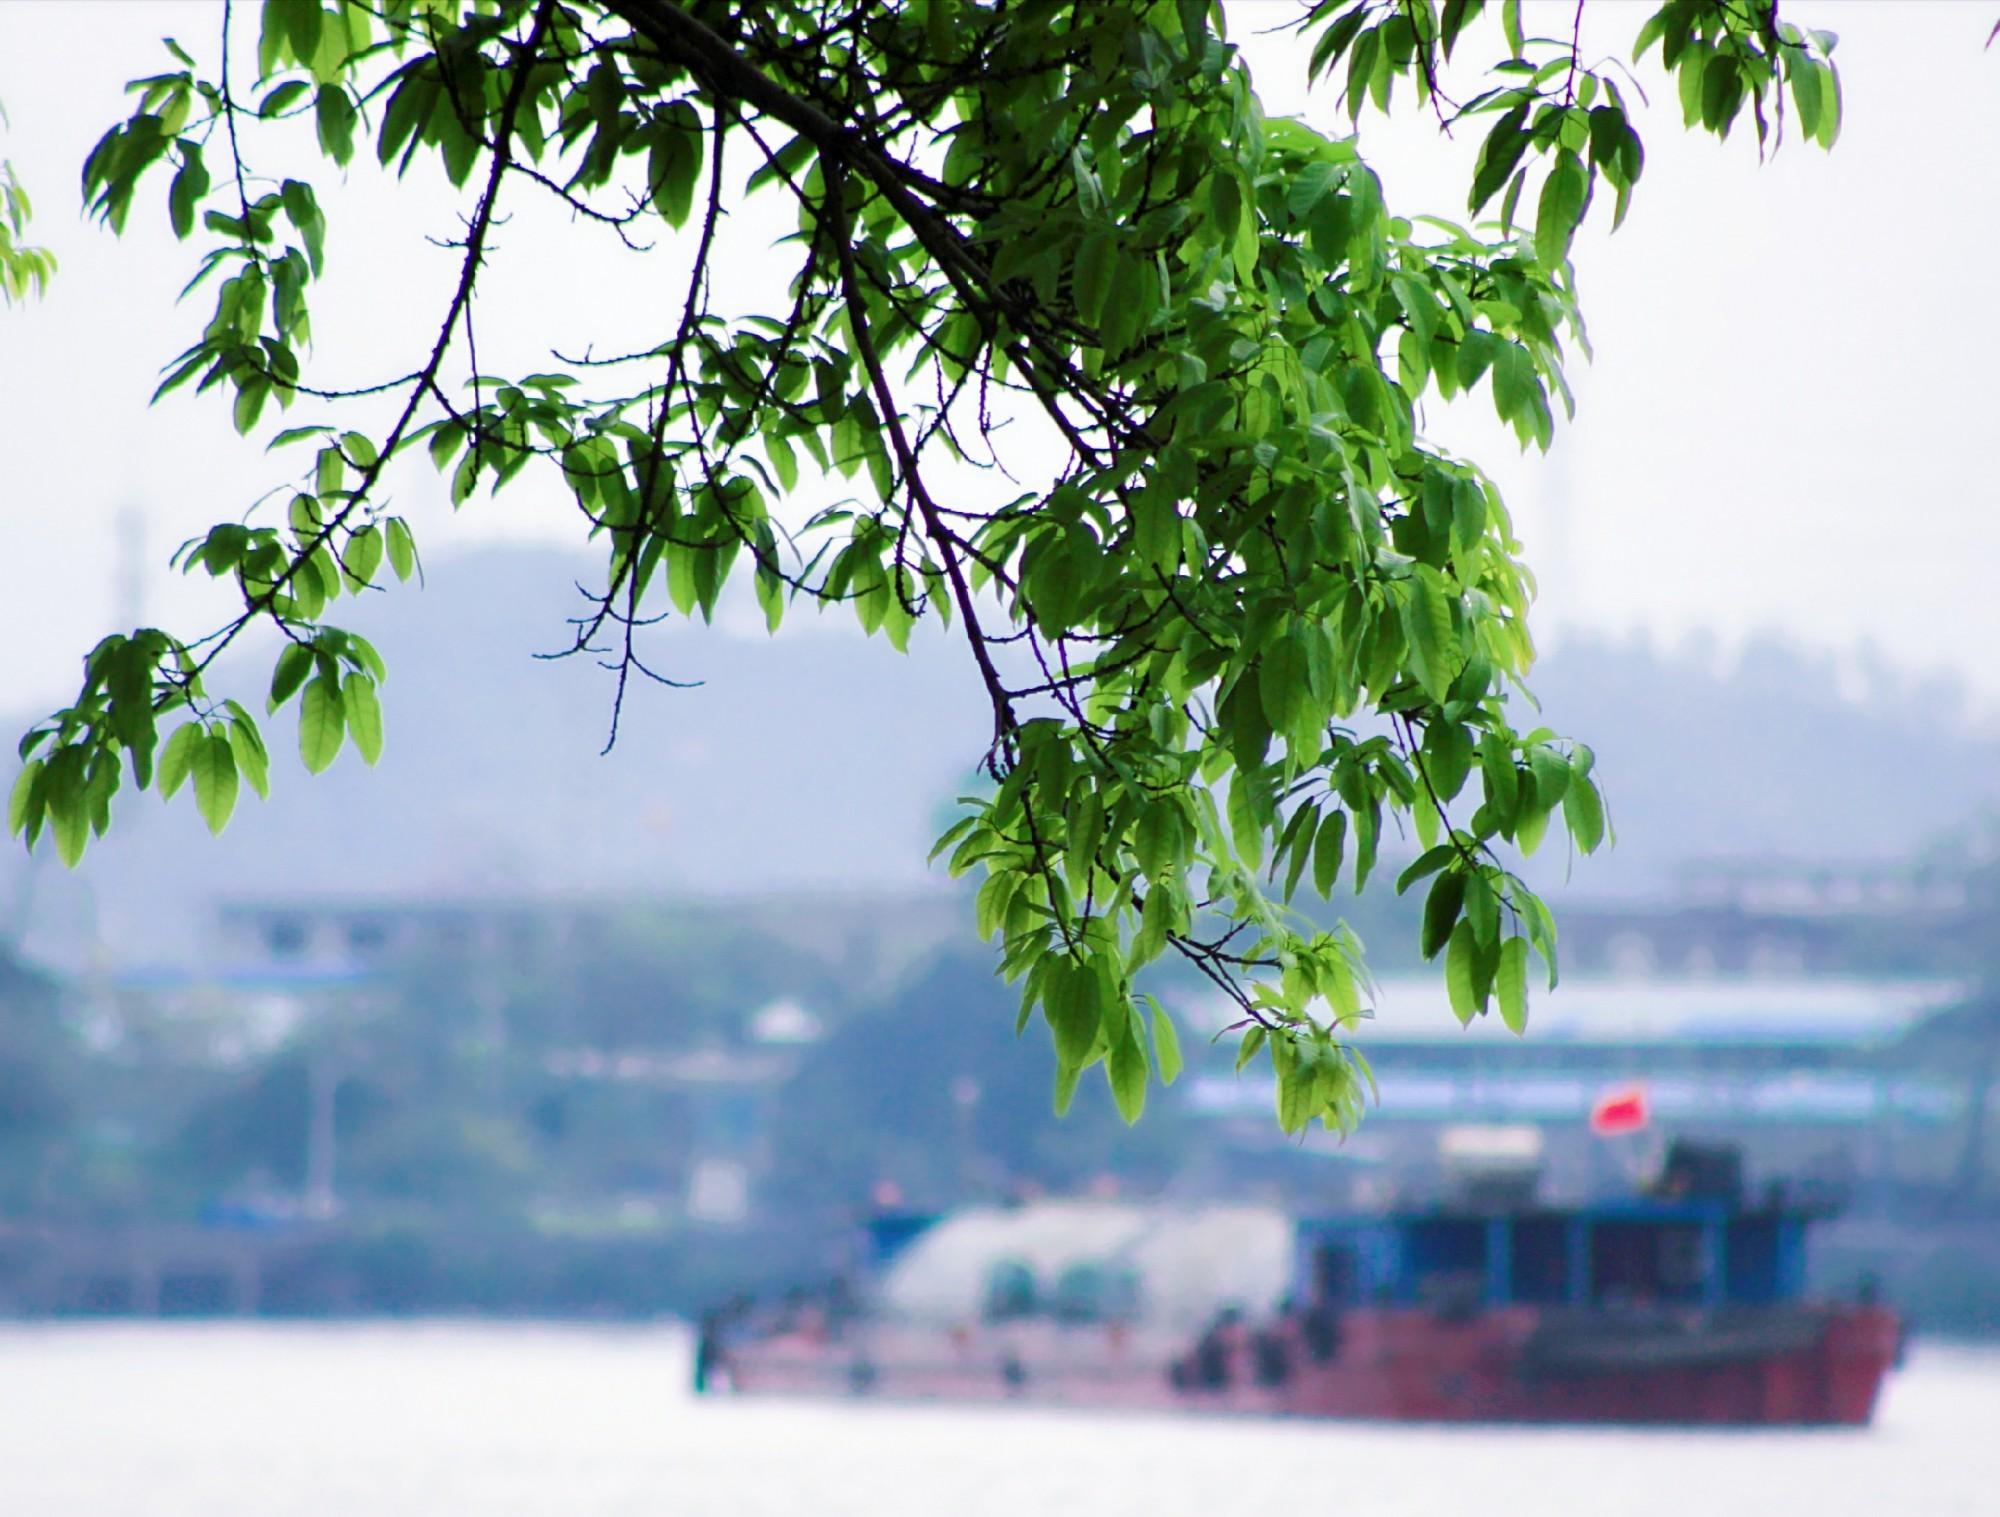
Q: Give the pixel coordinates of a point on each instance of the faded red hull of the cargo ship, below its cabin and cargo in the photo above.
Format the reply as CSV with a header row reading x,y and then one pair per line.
x,y
1791,1366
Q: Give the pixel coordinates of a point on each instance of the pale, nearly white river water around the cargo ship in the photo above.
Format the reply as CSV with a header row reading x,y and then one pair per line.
x,y
457,1420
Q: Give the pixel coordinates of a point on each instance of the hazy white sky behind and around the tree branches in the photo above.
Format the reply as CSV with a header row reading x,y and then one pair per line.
x,y
1787,423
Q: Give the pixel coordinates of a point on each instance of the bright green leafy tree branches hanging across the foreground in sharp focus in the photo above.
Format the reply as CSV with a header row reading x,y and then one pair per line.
x,y
1263,617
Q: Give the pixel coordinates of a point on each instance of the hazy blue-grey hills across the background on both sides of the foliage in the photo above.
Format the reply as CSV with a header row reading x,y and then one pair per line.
x,y
819,762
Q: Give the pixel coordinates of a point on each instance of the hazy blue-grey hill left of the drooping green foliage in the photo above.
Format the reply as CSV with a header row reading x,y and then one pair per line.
x,y
805,762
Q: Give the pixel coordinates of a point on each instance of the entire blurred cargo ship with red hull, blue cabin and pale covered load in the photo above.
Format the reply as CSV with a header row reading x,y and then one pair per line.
x,y
1679,1304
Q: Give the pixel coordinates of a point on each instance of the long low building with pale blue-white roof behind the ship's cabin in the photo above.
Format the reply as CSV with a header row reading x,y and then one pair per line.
x,y
1811,1076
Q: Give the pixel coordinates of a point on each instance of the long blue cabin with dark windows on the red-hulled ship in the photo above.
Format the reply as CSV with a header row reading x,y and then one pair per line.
x,y
1623,1254
